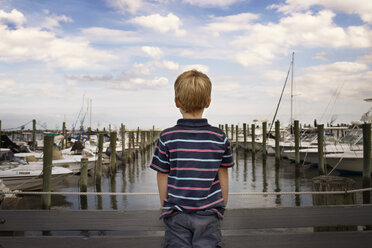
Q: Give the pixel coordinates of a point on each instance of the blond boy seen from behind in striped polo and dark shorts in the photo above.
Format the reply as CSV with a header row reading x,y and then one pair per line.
x,y
191,159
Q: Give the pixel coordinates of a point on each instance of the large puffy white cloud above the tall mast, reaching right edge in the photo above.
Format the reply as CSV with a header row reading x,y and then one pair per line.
x,y
263,43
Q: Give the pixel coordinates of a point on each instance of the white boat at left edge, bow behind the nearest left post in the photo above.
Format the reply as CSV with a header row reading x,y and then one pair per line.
x,y
28,177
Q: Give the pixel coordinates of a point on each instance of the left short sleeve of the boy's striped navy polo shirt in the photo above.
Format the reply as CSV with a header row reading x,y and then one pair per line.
x,y
160,160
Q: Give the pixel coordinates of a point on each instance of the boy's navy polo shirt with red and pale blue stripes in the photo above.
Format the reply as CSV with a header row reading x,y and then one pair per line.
x,y
191,154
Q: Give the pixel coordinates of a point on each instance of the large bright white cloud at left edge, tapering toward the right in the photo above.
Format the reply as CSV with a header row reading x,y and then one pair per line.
x,y
32,43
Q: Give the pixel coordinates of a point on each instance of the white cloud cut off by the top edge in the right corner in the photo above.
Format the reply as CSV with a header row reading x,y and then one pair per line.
x,y
362,8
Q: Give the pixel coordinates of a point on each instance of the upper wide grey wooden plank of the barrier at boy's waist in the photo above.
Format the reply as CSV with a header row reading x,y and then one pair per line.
x,y
292,217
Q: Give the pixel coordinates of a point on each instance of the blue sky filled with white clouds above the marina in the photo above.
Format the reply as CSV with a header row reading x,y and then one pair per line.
x,y
123,57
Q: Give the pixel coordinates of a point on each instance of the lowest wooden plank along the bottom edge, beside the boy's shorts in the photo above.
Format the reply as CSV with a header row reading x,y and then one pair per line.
x,y
267,240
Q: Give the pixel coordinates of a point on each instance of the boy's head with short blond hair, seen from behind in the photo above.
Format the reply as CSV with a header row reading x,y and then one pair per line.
x,y
192,91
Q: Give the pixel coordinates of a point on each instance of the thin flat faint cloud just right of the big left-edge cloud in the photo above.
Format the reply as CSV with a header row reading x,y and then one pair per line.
x,y
100,34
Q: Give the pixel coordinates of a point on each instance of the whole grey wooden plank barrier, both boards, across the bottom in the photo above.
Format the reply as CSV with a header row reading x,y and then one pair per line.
x,y
269,227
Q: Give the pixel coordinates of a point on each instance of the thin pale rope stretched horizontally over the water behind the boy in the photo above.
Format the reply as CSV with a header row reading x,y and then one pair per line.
x,y
155,194
